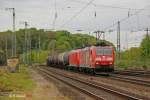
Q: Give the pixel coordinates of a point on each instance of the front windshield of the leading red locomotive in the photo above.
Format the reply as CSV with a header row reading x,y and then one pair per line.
x,y
103,51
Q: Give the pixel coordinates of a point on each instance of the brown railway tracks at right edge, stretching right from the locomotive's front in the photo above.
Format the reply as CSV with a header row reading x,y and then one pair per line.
x,y
132,76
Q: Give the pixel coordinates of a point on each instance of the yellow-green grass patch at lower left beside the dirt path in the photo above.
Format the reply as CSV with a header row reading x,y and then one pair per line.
x,y
16,82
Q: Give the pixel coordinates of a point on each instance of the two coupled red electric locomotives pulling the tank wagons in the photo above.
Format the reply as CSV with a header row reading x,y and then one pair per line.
x,y
95,58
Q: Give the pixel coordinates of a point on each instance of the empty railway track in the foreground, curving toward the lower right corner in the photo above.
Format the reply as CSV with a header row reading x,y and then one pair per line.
x,y
97,91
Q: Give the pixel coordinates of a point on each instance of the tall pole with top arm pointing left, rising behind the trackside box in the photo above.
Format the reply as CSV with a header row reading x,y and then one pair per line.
x,y
13,35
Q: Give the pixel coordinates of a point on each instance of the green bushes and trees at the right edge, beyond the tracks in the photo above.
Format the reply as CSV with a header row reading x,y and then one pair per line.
x,y
136,57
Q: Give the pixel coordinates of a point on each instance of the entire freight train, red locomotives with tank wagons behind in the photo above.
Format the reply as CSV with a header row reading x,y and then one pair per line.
x,y
90,59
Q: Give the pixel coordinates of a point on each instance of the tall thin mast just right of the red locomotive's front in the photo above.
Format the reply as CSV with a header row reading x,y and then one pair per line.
x,y
118,41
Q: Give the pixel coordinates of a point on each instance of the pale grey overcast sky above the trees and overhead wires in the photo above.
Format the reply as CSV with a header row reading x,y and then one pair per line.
x,y
40,14
